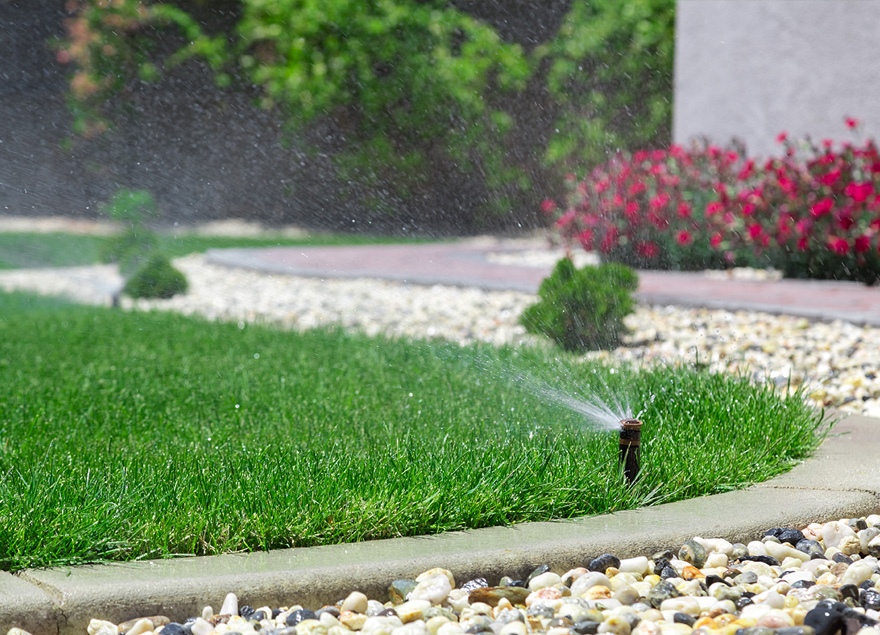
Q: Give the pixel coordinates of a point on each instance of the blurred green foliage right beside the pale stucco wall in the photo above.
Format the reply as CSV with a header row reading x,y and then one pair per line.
x,y
610,70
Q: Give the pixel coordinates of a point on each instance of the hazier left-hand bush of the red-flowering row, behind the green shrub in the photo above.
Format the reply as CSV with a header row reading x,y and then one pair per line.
x,y
660,209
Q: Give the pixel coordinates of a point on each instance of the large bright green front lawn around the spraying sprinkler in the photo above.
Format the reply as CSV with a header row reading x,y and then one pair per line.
x,y
148,435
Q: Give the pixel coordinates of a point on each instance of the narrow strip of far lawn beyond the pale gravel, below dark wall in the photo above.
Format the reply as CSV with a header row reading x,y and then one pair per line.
x,y
32,250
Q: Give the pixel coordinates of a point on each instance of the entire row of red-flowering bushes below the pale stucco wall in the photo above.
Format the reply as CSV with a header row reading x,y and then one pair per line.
x,y
814,213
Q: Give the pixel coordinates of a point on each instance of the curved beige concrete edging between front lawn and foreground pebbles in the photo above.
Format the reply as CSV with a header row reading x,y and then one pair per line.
x,y
842,480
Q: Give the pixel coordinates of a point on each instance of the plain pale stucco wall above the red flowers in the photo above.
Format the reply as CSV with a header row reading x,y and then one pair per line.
x,y
751,69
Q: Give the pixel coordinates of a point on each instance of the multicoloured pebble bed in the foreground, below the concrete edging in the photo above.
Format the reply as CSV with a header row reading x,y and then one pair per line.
x,y
818,580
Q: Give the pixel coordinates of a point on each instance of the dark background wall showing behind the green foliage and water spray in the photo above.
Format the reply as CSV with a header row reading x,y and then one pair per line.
x,y
203,152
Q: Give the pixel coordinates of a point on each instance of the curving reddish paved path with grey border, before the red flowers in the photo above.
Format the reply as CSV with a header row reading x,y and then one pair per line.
x,y
475,264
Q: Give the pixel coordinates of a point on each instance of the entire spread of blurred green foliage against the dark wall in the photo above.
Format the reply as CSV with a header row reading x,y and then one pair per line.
x,y
408,88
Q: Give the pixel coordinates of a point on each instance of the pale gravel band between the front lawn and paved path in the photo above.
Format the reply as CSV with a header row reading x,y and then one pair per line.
x,y
836,362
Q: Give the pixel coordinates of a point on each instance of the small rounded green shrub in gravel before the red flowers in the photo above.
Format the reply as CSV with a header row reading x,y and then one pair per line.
x,y
583,309
